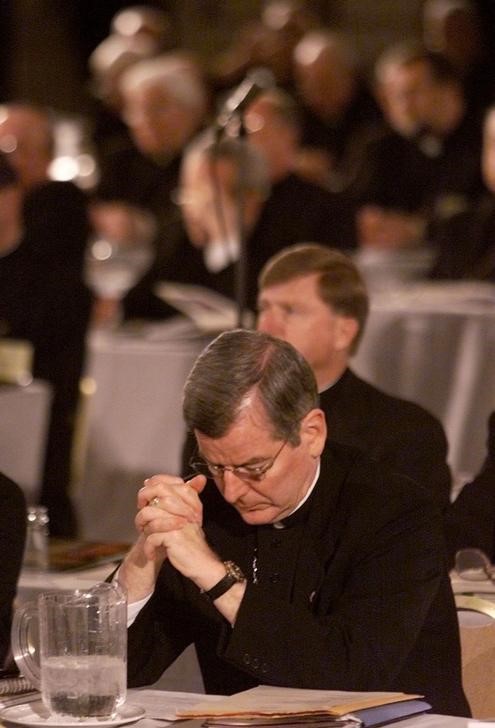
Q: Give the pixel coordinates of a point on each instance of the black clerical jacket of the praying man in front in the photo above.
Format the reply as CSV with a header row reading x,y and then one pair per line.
x,y
352,593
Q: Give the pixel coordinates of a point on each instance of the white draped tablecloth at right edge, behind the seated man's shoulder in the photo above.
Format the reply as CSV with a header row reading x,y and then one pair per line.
x,y
435,345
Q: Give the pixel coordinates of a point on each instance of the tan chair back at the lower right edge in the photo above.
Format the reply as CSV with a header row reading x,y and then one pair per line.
x,y
477,631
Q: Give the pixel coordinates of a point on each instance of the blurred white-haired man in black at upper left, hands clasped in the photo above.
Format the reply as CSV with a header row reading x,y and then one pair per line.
x,y
165,103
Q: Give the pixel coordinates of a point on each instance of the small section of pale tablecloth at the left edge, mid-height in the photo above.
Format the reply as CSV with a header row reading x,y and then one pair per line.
x,y
24,413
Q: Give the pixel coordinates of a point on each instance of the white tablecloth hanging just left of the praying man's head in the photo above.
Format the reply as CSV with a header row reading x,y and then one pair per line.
x,y
134,421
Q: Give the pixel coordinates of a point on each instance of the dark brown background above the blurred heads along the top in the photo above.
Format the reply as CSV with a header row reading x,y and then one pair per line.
x,y
45,44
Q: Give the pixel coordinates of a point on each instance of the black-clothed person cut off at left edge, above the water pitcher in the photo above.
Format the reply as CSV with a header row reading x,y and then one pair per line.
x,y
12,539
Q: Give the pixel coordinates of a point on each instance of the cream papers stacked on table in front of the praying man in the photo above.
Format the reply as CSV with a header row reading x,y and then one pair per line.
x,y
275,702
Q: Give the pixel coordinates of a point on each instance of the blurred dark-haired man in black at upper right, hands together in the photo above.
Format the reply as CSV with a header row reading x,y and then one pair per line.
x,y
425,164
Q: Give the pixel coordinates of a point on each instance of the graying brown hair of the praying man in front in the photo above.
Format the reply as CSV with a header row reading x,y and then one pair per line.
x,y
239,364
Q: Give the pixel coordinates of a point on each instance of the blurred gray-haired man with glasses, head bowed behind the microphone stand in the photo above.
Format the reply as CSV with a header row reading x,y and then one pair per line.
x,y
215,177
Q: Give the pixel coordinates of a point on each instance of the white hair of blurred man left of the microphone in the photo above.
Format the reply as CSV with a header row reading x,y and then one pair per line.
x,y
171,71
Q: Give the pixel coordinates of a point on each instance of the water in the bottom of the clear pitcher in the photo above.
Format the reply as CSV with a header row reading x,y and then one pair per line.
x,y
84,686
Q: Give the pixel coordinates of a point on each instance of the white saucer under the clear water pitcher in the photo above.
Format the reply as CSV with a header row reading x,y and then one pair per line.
x,y
36,714
